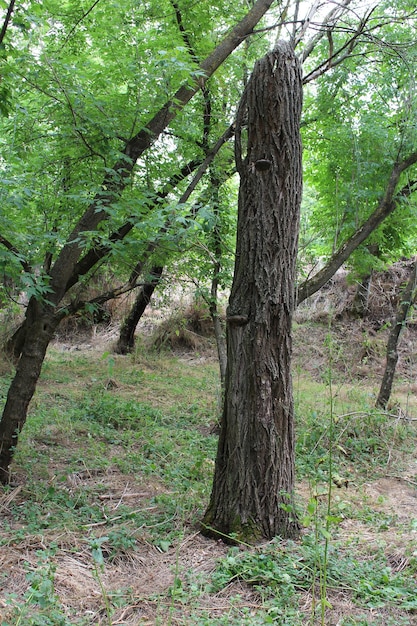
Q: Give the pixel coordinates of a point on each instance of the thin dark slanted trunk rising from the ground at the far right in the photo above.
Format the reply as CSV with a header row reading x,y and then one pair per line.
x,y
407,300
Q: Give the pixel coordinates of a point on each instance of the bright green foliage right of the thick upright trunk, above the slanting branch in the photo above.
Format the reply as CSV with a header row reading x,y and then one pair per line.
x,y
353,137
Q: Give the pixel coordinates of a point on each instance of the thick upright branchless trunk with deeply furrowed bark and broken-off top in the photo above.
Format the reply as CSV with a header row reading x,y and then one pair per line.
x,y
252,493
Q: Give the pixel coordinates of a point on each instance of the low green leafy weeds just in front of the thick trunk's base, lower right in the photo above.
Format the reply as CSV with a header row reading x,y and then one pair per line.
x,y
283,569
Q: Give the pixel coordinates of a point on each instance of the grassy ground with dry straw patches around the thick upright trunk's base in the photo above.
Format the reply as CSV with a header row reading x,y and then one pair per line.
x,y
114,469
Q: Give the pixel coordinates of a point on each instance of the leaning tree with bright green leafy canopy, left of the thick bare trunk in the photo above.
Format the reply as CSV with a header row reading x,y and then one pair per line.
x,y
86,158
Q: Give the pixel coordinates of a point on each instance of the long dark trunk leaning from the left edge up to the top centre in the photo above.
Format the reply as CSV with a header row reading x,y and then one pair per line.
x,y
38,333
